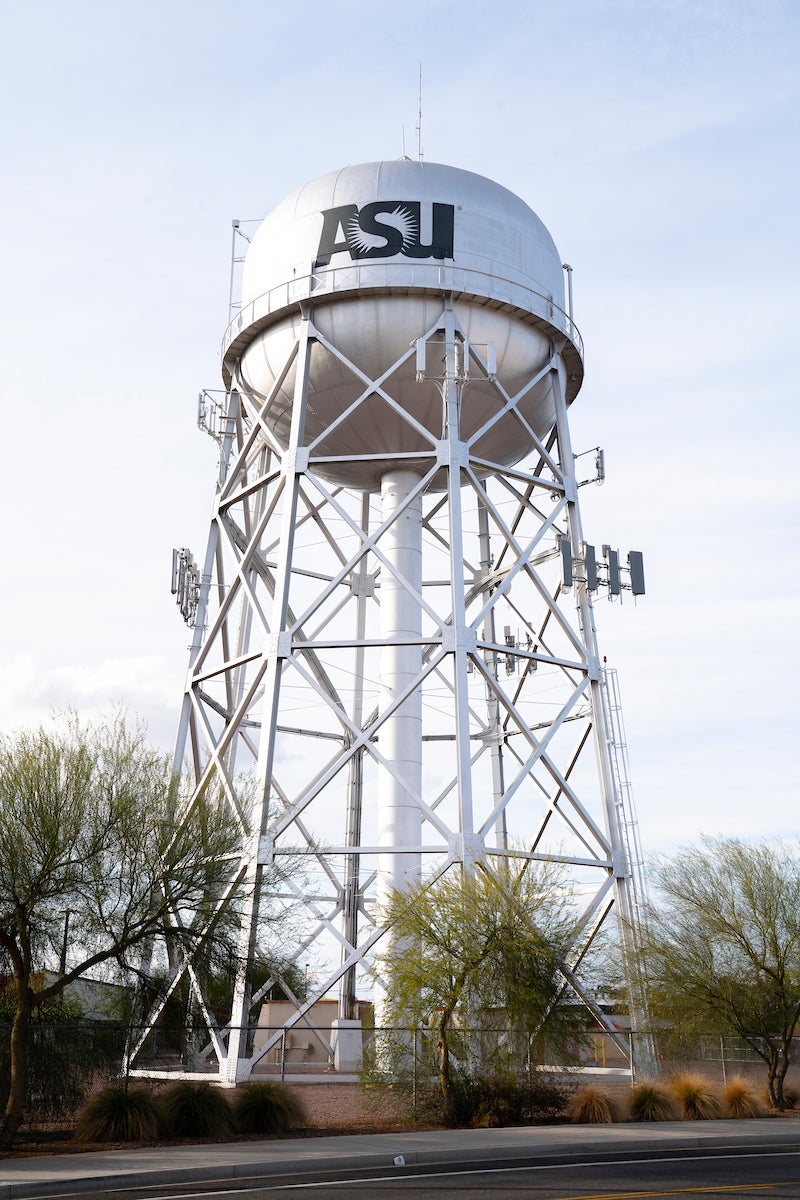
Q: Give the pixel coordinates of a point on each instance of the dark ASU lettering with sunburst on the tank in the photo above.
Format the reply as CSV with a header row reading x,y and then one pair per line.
x,y
386,229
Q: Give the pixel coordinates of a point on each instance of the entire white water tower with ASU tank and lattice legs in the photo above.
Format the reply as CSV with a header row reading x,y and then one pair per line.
x,y
394,664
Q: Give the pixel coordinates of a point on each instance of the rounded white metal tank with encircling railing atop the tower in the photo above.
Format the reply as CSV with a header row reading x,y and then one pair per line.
x,y
378,250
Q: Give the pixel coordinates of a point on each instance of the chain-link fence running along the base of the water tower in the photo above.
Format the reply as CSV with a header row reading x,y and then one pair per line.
x,y
67,1061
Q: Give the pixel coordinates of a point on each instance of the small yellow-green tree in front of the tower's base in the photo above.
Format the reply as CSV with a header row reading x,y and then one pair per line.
x,y
474,949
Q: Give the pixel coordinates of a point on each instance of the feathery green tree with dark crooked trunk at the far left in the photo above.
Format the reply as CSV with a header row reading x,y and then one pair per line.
x,y
92,832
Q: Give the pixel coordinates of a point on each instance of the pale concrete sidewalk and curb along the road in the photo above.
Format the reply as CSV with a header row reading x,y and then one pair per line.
x,y
25,1179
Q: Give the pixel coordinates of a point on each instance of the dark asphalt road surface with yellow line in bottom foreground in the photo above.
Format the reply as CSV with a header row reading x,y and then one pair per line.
x,y
751,1175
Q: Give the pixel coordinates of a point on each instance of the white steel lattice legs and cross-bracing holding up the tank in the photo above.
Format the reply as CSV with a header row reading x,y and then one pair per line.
x,y
285,710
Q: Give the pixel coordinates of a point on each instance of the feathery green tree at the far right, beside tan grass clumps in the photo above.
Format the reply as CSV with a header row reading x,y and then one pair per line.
x,y
723,952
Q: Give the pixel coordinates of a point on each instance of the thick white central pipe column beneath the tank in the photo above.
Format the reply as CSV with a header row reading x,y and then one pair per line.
x,y
400,741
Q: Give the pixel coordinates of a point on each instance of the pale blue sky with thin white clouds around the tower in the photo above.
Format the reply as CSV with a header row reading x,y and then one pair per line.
x,y
659,143
